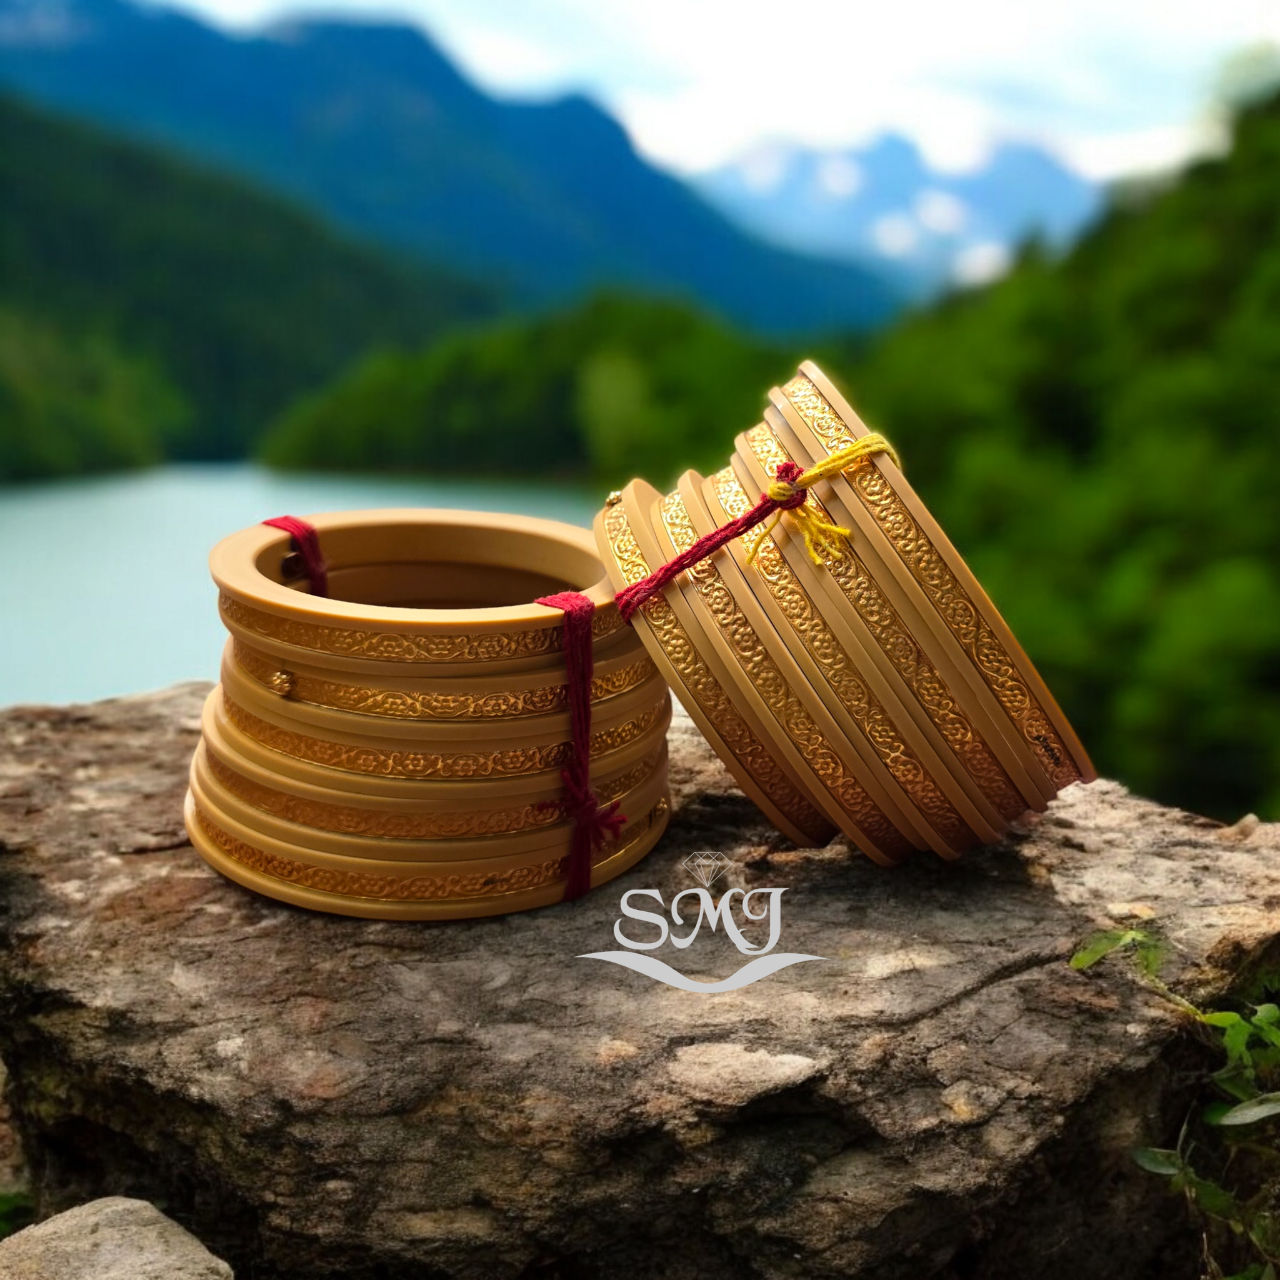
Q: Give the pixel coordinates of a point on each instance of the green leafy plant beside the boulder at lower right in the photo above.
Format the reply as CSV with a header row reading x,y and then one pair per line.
x,y
1227,1164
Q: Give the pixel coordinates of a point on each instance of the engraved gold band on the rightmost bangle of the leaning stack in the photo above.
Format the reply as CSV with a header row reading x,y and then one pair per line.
x,y
940,584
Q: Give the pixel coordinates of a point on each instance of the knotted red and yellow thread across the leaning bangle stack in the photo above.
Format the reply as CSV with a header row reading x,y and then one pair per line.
x,y
789,492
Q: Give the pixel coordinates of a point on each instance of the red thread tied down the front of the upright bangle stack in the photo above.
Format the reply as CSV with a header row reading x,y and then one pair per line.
x,y
593,822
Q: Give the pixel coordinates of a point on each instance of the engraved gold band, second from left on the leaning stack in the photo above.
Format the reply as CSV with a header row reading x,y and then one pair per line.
x,y
781,698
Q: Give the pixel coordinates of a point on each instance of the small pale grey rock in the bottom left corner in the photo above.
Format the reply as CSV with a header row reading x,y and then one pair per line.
x,y
109,1240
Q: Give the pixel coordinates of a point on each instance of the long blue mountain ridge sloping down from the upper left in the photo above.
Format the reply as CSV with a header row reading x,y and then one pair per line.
x,y
373,126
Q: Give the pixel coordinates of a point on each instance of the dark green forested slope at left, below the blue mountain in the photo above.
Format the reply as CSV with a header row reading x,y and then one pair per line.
x,y
139,271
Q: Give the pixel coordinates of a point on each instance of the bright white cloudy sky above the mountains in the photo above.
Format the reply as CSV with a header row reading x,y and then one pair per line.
x,y
1112,86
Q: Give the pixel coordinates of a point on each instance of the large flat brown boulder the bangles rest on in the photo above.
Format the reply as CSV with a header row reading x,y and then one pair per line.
x,y
940,1096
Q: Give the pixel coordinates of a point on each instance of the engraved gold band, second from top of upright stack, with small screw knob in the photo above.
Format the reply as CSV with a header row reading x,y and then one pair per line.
x,y
408,705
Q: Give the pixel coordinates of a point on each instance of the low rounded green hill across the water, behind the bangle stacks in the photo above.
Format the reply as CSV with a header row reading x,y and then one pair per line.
x,y
612,388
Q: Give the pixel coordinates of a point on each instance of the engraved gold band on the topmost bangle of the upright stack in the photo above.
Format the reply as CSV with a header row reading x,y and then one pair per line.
x,y
405,647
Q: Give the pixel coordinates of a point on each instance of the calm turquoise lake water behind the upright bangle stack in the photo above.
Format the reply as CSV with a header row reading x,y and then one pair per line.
x,y
104,583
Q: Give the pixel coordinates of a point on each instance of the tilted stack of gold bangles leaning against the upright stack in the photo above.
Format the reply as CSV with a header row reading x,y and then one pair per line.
x,y
877,692
